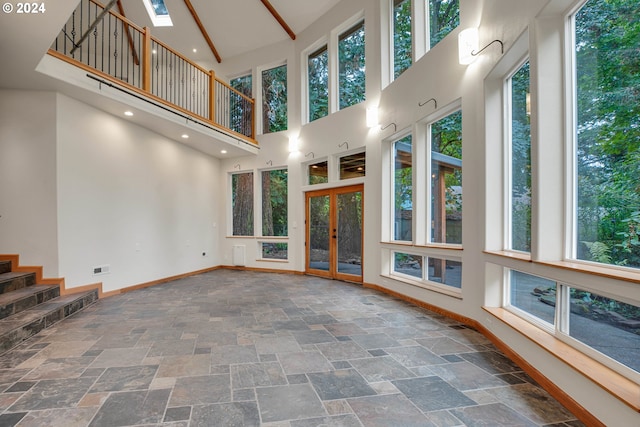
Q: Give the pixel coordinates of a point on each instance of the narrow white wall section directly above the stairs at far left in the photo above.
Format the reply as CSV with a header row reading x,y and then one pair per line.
x,y
28,197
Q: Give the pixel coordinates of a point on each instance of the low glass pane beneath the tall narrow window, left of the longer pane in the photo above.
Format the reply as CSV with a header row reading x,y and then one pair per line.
x,y
534,295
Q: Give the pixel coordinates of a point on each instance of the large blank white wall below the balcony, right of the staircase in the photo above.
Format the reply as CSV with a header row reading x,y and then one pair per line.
x,y
131,199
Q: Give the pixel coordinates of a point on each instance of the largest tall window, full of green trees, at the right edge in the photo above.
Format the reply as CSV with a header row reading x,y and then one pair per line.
x,y
607,156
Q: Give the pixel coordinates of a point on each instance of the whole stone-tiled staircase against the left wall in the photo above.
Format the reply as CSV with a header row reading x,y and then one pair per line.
x,y
26,308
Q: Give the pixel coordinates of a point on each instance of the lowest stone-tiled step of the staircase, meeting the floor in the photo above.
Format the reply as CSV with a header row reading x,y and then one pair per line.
x,y
21,326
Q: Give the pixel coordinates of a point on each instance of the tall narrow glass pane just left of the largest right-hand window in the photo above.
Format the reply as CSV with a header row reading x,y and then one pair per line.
x,y
520,161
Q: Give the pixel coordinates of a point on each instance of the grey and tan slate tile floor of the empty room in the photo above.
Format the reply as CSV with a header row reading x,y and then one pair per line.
x,y
231,348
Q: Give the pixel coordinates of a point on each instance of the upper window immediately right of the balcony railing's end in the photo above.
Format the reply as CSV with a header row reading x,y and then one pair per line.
x,y
274,99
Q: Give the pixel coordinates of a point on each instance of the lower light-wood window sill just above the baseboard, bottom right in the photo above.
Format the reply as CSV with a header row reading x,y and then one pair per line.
x,y
616,384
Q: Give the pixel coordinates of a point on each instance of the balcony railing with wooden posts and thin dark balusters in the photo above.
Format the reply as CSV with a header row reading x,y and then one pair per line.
x,y
109,45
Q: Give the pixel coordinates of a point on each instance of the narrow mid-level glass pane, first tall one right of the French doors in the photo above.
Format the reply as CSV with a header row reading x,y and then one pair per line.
x,y
403,190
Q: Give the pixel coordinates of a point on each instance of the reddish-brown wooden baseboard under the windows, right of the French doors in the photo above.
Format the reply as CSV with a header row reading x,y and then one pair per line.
x,y
560,395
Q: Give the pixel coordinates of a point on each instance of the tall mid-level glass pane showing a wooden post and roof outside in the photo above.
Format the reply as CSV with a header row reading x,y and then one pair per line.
x,y
446,179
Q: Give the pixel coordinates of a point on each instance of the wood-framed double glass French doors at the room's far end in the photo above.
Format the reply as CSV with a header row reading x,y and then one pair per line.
x,y
334,233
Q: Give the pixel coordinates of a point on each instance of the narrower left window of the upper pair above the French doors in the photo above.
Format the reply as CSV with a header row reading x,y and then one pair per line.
x,y
318,77
